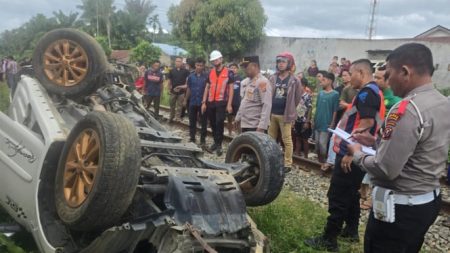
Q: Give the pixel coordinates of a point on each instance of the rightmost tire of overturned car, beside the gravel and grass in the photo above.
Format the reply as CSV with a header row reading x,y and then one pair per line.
x,y
265,154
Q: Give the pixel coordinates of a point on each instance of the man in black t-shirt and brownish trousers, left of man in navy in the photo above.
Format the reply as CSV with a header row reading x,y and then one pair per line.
x,y
177,88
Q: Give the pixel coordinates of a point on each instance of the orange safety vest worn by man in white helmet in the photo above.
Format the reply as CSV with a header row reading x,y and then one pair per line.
x,y
218,85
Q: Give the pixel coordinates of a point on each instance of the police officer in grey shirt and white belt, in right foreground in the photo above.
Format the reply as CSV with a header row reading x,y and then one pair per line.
x,y
411,154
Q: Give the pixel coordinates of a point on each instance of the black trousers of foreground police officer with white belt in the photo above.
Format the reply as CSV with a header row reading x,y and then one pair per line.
x,y
406,234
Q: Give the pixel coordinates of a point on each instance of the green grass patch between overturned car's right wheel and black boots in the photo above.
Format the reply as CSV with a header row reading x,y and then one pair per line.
x,y
289,220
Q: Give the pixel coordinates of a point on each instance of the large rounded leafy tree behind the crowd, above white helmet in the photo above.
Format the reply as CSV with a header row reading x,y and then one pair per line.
x,y
231,26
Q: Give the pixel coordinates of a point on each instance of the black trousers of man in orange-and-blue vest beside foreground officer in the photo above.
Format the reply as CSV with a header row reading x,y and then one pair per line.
x,y
343,200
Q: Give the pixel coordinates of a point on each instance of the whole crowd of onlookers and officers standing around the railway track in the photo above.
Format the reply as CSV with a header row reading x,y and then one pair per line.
x,y
352,96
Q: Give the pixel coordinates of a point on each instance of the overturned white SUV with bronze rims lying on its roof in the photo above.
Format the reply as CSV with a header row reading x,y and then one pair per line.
x,y
85,168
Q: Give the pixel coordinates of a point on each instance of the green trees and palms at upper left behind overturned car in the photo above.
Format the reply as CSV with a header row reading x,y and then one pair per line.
x,y
123,29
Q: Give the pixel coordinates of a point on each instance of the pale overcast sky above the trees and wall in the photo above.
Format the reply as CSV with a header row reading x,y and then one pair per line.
x,y
292,18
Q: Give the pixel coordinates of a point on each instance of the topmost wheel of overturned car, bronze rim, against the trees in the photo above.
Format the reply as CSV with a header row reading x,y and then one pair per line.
x,y
69,62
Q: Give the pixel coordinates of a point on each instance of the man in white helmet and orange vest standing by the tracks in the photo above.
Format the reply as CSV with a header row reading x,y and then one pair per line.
x,y
218,98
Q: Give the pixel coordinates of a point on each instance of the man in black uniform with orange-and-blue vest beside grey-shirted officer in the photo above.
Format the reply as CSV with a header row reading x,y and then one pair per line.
x,y
366,112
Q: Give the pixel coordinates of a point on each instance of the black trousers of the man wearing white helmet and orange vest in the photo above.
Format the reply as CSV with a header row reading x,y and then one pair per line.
x,y
216,115
